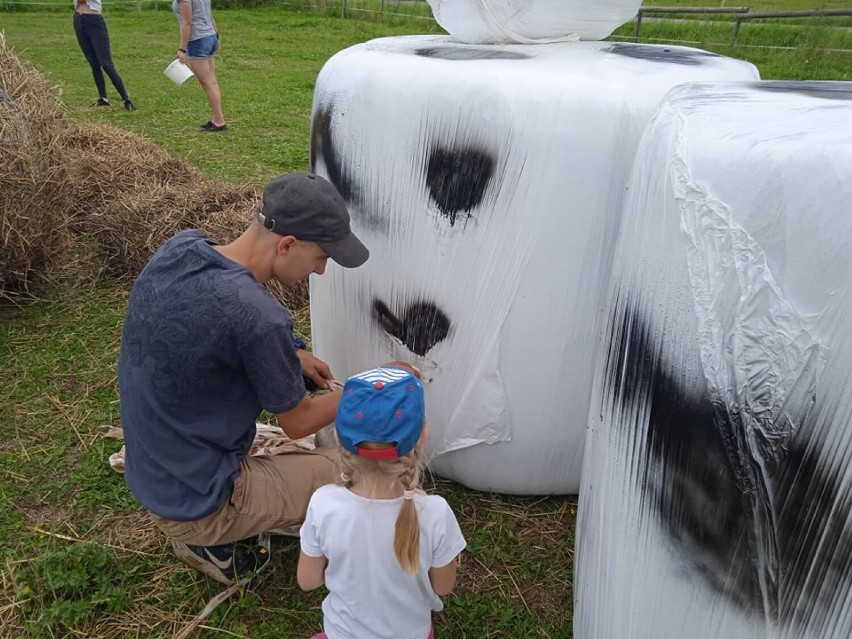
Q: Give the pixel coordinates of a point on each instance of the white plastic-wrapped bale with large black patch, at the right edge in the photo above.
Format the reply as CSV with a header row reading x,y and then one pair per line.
x,y
715,499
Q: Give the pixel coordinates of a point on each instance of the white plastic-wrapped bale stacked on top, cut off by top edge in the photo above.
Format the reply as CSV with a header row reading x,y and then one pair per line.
x,y
532,21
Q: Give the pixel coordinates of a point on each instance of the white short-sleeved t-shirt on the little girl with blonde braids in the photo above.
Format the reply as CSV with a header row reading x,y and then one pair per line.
x,y
370,596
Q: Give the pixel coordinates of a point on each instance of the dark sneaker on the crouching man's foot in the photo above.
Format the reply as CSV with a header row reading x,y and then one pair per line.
x,y
226,562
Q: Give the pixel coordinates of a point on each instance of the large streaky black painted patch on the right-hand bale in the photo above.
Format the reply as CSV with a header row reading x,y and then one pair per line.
x,y
720,511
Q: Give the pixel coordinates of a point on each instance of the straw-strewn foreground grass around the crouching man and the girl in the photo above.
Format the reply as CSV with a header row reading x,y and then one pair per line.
x,y
57,487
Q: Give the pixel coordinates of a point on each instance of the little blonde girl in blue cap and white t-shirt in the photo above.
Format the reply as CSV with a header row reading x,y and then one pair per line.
x,y
385,550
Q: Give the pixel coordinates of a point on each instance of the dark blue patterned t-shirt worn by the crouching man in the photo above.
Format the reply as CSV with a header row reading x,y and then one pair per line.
x,y
205,348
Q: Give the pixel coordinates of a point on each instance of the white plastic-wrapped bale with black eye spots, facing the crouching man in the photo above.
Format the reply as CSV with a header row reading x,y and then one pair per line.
x,y
487,183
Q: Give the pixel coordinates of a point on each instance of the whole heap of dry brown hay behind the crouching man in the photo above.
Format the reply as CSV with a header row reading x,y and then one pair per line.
x,y
80,202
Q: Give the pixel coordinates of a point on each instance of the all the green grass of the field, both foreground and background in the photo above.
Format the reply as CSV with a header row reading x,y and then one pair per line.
x,y
77,557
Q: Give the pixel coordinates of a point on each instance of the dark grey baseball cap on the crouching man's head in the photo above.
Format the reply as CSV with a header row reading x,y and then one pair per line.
x,y
309,208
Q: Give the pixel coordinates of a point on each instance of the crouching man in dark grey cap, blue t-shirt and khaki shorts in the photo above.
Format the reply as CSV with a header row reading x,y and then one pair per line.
x,y
205,348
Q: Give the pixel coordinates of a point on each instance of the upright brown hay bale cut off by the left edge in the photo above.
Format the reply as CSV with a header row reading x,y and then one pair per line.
x,y
33,225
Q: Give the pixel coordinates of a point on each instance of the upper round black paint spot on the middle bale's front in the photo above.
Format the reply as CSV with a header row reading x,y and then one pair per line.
x,y
458,178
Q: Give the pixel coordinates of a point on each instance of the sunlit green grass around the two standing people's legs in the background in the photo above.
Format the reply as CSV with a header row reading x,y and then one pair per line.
x,y
269,61
